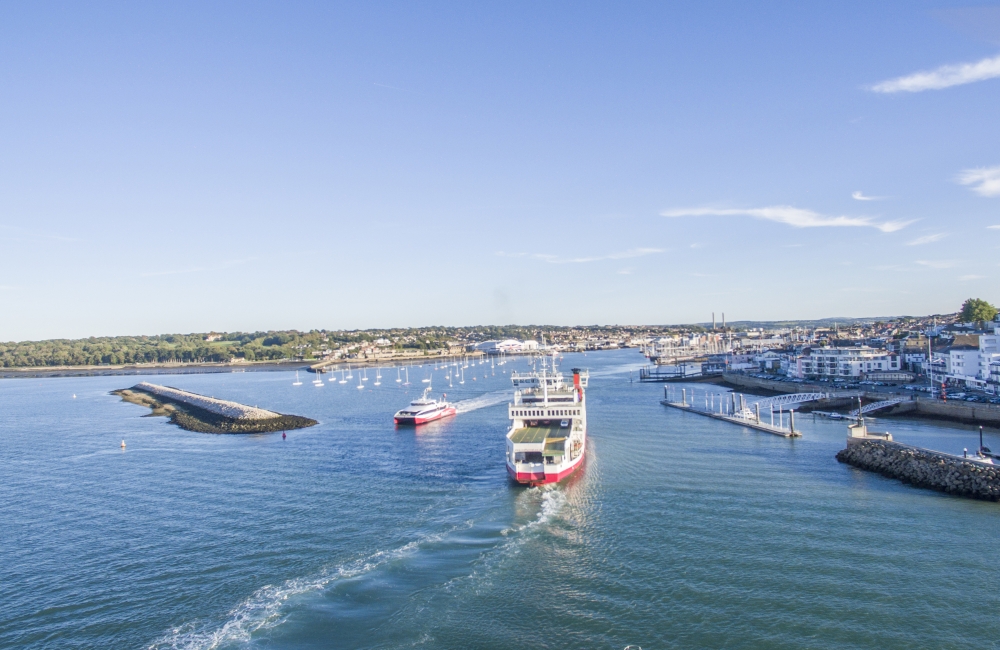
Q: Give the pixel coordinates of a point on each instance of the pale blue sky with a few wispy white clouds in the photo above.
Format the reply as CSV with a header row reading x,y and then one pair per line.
x,y
197,166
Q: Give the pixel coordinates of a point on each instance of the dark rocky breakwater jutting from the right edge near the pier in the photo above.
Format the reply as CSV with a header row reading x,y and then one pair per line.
x,y
925,468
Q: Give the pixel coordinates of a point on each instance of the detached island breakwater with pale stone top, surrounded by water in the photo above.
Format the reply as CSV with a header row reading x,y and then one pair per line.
x,y
207,414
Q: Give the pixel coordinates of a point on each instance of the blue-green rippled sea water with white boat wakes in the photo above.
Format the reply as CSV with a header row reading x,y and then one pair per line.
x,y
680,532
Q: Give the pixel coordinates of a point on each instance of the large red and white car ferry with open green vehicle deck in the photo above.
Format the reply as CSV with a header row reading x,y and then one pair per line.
x,y
547,440
